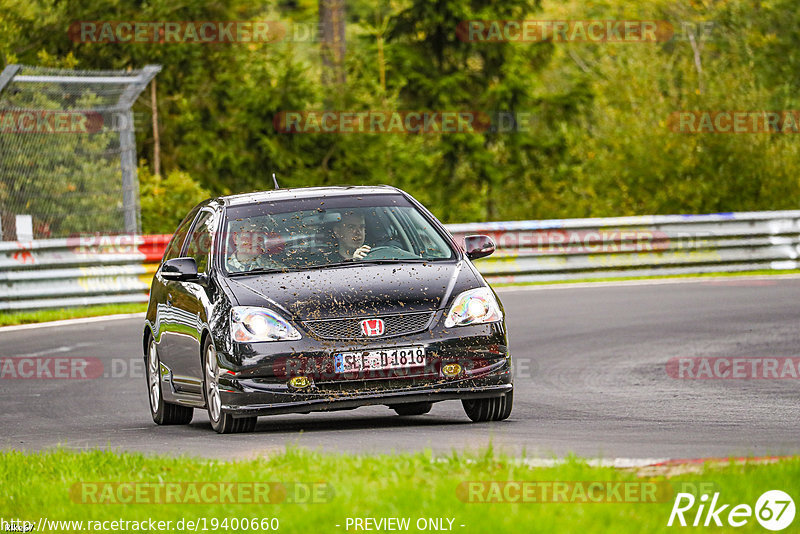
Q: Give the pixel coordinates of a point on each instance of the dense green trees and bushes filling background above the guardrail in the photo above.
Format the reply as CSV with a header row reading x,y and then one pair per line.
x,y
598,142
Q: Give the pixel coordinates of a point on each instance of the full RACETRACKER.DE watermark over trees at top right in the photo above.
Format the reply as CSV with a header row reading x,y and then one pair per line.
x,y
562,31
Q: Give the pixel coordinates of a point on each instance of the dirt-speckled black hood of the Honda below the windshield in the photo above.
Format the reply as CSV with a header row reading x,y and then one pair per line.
x,y
358,290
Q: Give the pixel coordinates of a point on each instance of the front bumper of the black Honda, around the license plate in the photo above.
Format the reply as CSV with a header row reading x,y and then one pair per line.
x,y
258,383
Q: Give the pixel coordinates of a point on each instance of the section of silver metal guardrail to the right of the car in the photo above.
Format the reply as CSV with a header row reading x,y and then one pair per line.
x,y
531,251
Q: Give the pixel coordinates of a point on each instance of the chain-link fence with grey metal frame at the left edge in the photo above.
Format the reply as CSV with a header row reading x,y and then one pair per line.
x,y
67,152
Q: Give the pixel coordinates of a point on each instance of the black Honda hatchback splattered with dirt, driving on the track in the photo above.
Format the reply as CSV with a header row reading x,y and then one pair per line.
x,y
300,300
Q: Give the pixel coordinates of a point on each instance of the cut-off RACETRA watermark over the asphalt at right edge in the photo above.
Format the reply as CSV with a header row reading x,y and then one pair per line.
x,y
724,368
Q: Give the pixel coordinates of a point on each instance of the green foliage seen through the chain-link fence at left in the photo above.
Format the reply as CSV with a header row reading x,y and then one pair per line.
x,y
69,182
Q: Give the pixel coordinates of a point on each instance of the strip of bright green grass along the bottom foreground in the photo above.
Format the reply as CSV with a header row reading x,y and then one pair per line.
x,y
400,485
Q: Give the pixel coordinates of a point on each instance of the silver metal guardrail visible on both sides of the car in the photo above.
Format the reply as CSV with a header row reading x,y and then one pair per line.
x,y
108,269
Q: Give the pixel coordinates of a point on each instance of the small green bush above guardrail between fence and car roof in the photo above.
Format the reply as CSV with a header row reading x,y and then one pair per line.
x,y
166,200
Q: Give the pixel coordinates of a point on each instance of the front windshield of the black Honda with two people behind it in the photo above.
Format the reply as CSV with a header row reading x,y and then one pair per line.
x,y
328,232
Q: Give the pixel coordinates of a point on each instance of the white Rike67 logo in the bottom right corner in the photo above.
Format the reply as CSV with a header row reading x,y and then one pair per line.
x,y
774,510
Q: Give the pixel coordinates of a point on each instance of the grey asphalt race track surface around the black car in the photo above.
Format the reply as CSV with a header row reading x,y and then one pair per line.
x,y
591,379
